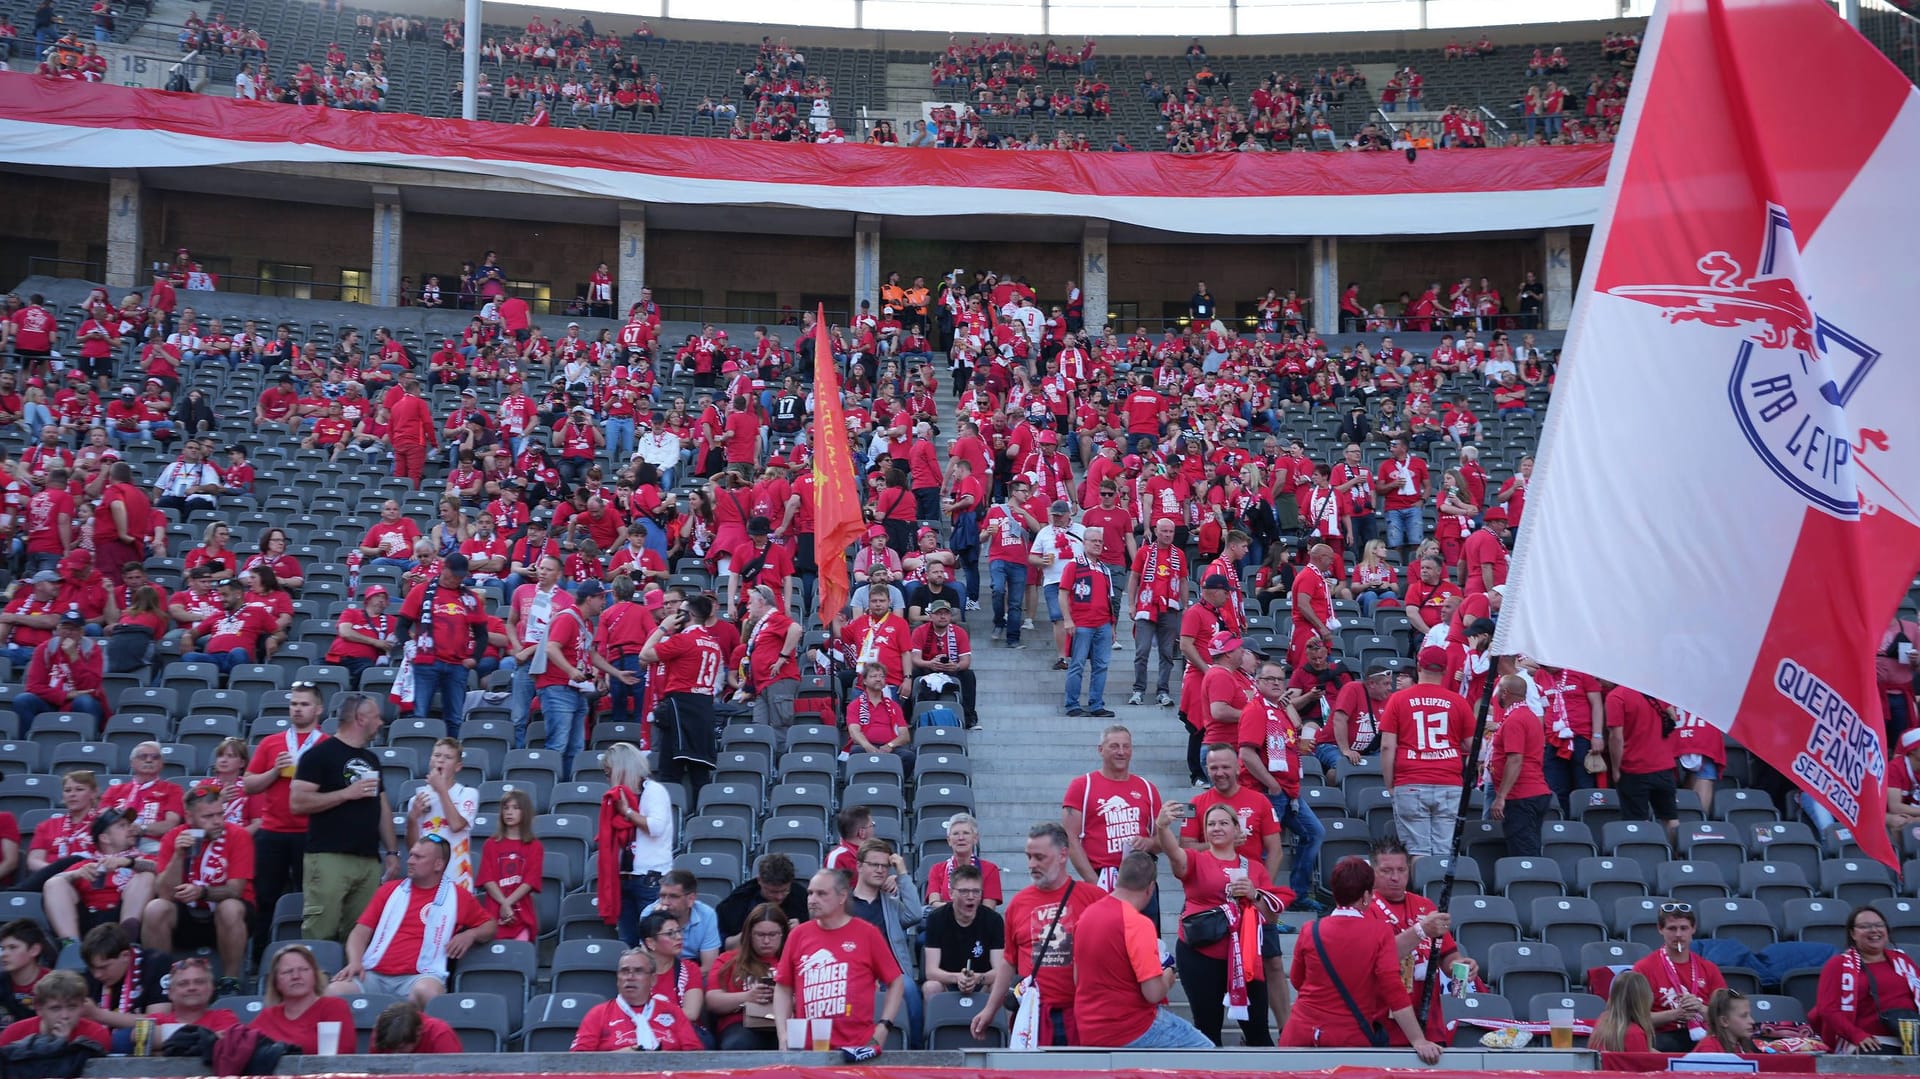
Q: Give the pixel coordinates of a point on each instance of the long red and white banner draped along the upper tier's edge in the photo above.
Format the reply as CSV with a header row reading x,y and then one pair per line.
x,y
47,122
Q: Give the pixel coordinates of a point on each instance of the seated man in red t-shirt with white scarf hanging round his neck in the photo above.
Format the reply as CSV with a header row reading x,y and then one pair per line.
x,y
412,928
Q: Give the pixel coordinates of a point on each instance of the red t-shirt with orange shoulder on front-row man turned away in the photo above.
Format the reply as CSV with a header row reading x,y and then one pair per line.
x,y
1118,951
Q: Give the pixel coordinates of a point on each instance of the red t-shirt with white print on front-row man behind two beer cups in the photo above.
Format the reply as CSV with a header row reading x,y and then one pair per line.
x,y
834,974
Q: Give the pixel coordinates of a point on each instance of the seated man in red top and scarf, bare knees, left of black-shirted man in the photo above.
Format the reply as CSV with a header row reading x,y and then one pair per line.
x,y
204,896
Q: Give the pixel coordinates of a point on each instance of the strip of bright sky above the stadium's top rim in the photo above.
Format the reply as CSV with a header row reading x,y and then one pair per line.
x,y
1176,18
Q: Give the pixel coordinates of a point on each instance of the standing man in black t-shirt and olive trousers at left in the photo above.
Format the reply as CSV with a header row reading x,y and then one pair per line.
x,y
350,823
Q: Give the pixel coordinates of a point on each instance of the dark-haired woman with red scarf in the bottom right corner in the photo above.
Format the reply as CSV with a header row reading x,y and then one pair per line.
x,y
1861,1019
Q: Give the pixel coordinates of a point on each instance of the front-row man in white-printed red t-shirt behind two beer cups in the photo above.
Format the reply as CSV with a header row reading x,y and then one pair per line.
x,y
830,971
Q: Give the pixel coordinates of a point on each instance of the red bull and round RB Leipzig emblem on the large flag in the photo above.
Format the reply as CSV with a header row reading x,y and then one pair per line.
x,y
1792,373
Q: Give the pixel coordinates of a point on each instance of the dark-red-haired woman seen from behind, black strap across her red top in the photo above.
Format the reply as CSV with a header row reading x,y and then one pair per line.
x,y
1368,972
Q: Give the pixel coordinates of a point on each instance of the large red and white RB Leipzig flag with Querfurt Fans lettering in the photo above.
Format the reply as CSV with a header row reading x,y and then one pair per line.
x,y
1725,504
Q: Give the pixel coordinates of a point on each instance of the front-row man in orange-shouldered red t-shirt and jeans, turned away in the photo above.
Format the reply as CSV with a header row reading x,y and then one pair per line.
x,y
1120,976
